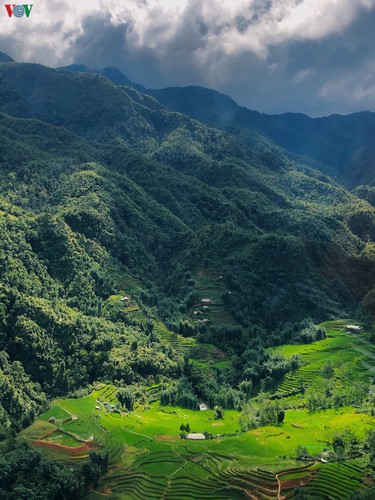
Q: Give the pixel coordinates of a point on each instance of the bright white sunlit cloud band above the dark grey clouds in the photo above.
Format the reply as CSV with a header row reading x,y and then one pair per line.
x,y
233,26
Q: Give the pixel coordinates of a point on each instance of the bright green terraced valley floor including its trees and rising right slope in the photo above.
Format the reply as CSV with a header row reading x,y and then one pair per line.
x,y
309,435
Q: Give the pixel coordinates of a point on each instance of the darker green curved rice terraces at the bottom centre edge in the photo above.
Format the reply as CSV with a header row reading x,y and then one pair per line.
x,y
189,475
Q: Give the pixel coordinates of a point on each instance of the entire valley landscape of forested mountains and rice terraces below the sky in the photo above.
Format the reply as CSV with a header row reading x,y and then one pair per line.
x,y
155,260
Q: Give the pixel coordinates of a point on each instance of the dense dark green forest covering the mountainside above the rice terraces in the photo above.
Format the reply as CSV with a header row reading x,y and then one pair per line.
x,y
104,186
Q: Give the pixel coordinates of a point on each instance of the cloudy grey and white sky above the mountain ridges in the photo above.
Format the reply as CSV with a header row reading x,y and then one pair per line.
x,y
310,56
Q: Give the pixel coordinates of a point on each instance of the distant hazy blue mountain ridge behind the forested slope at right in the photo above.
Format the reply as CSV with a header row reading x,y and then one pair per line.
x,y
341,146
